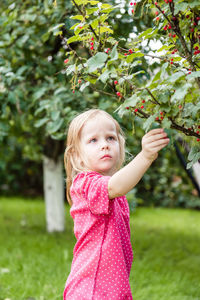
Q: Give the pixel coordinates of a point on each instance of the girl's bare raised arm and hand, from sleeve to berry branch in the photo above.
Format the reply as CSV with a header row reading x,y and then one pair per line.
x,y
127,177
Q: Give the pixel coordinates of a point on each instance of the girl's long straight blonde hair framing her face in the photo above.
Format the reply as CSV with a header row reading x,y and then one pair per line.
x,y
73,157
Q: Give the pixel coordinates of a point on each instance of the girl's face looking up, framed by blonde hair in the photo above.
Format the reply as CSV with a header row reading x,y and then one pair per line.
x,y
100,145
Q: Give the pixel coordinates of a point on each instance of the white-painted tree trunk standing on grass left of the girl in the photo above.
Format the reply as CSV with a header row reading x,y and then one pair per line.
x,y
54,194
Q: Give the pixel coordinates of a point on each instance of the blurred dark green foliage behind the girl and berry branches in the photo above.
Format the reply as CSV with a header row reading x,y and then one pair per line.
x,y
37,104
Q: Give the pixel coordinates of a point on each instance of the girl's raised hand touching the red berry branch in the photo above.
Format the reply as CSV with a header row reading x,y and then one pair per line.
x,y
153,141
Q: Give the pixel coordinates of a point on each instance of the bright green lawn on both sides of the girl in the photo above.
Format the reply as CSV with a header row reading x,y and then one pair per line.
x,y
34,264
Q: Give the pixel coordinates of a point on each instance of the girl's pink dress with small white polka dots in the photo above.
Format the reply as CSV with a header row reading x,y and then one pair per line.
x,y
102,256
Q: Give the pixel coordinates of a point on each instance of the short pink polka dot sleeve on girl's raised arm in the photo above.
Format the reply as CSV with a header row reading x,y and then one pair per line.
x,y
94,188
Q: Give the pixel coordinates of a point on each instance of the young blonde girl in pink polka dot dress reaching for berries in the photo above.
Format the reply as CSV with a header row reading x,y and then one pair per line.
x,y
96,188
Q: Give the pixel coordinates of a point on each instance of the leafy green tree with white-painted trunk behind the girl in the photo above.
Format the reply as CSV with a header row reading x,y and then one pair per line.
x,y
36,104
